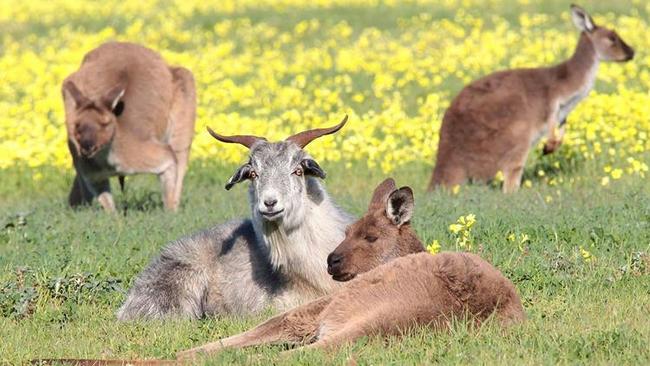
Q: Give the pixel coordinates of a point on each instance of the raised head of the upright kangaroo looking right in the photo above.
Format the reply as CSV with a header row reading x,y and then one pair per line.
x,y
608,44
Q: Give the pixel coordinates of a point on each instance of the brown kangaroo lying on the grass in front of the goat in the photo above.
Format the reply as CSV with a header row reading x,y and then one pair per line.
x,y
416,289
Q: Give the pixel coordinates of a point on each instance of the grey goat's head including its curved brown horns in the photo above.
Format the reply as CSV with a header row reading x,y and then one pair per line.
x,y
282,175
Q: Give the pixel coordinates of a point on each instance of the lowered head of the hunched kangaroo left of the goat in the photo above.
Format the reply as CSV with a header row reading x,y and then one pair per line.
x,y
94,120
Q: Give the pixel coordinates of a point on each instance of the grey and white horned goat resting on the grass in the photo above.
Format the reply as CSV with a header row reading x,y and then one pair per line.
x,y
277,258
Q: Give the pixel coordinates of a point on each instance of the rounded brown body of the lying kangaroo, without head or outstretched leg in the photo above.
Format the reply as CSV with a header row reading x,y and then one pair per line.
x,y
425,289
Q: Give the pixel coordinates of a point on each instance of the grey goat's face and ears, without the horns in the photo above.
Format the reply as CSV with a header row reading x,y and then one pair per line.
x,y
278,173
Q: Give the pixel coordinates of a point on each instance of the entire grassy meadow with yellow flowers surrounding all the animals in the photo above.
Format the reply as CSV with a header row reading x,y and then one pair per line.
x,y
575,240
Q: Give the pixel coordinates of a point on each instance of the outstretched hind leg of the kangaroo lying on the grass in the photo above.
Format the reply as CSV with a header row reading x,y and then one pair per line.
x,y
296,326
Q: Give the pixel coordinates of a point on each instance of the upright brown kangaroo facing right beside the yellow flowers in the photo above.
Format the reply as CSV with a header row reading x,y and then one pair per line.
x,y
493,122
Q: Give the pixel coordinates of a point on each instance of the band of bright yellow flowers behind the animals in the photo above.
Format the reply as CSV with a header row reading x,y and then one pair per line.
x,y
270,77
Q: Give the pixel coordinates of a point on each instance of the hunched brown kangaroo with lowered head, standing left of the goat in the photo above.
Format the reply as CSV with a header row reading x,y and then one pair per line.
x,y
128,112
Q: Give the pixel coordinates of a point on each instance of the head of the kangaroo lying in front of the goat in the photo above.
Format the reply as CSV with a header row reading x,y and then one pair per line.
x,y
381,235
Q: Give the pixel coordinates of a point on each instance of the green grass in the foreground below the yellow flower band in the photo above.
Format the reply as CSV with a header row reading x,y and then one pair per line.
x,y
578,311
